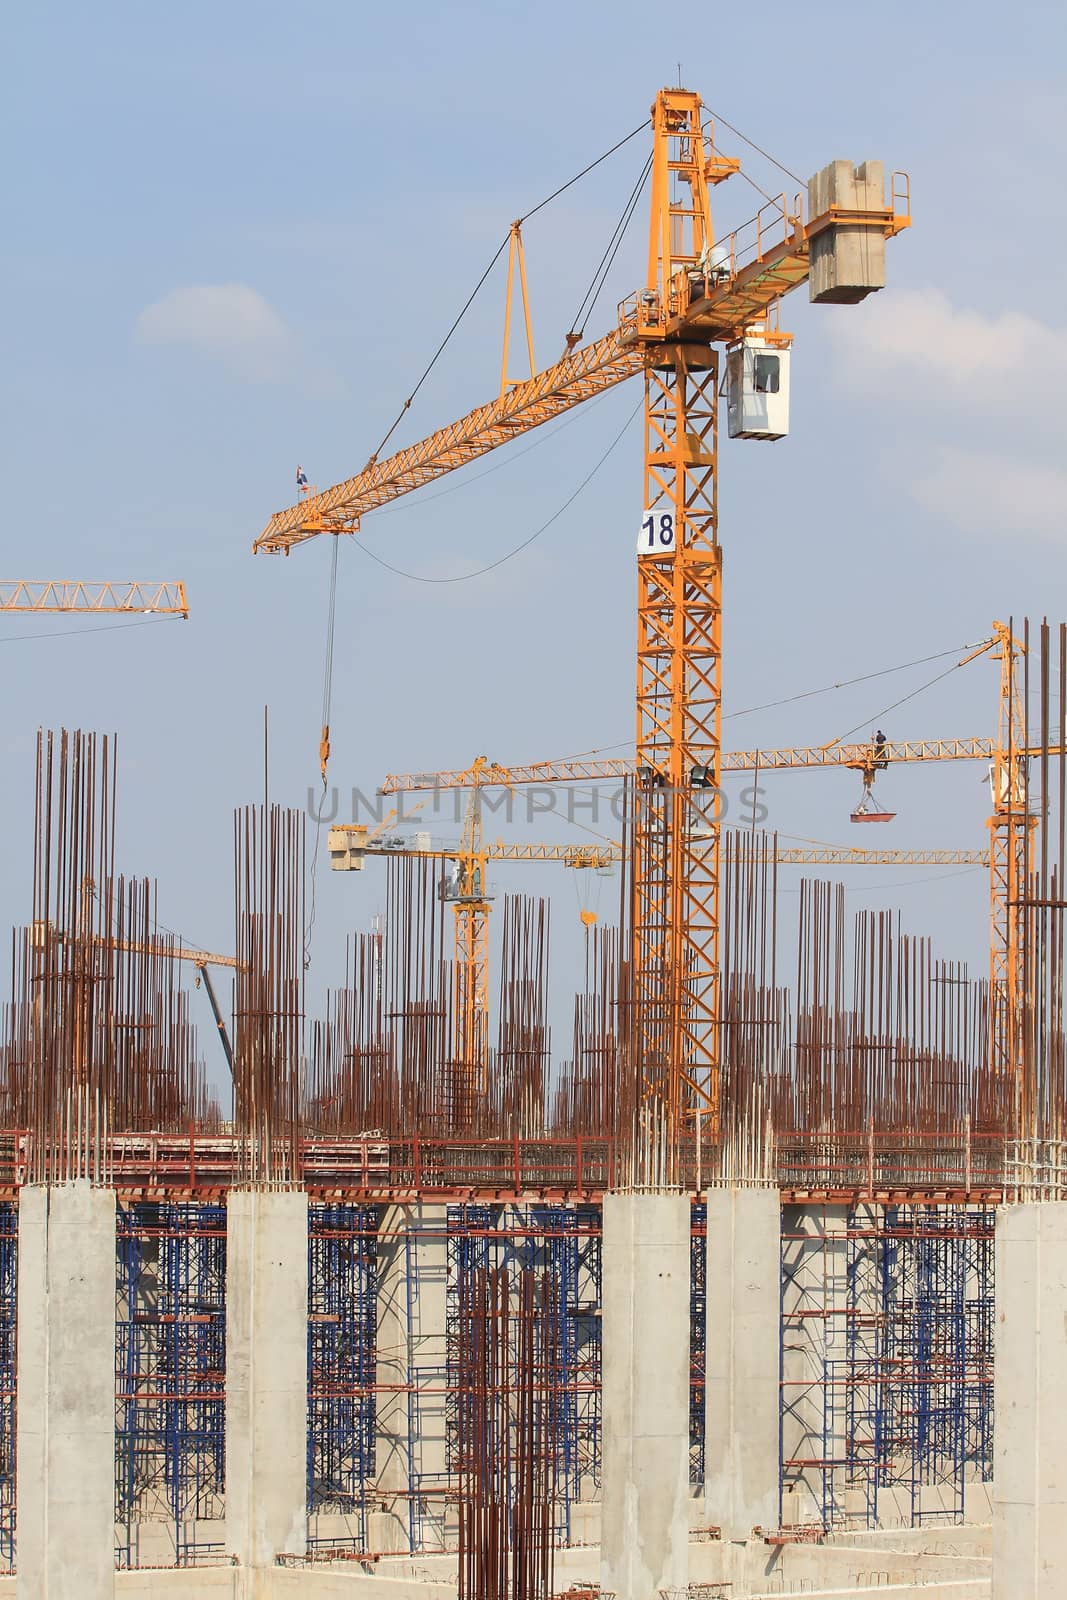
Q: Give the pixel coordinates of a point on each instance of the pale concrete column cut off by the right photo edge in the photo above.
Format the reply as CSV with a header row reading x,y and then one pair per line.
x,y
1031,1414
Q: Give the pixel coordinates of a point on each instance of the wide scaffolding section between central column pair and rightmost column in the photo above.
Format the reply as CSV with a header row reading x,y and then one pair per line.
x,y
887,1362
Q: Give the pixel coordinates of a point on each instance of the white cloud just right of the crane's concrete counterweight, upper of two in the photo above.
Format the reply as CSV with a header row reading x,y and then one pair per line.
x,y
975,356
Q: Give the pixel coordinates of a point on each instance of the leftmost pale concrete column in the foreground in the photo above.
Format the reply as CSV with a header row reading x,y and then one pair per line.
x,y
66,1394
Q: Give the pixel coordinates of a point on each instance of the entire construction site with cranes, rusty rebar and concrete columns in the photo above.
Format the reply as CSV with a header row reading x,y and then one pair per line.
x,y
757,1284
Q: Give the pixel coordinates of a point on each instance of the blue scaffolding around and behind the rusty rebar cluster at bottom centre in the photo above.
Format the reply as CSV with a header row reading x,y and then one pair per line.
x,y
562,1242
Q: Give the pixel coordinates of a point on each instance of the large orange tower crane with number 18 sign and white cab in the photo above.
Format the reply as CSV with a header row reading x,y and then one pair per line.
x,y
700,294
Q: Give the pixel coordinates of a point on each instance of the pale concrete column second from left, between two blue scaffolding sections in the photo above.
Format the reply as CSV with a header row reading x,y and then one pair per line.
x,y
266,1378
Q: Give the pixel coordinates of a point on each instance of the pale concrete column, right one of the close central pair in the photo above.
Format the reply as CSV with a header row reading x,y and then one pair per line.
x,y
741,1439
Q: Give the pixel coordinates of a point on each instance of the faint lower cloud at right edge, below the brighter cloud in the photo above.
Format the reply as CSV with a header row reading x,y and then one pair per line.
x,y
996,495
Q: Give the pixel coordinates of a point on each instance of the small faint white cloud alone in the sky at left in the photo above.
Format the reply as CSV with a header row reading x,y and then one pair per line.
x,y
231,322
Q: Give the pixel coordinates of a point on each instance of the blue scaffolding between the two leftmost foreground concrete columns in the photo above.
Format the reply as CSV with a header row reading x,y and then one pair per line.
x,y
170,1374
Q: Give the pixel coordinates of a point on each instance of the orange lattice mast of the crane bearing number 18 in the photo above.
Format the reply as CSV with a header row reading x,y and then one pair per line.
x,y
679,668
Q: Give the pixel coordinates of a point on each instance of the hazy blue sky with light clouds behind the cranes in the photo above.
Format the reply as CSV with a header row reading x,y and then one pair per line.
x,y
238,233
